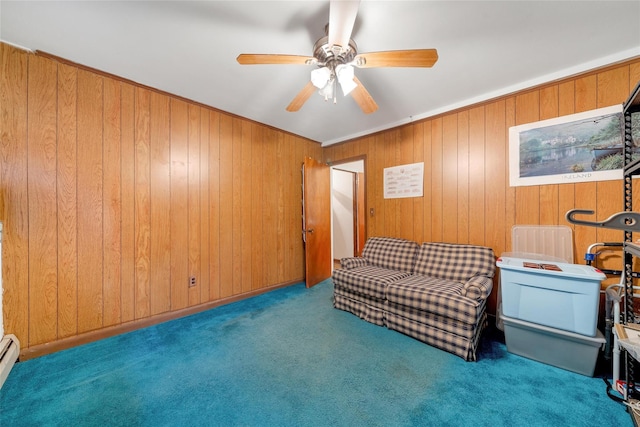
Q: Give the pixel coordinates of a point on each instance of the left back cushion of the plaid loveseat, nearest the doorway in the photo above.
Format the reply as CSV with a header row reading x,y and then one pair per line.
x,y
390,252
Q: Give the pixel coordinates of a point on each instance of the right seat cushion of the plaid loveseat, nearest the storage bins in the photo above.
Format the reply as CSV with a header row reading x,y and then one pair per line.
x,y
432,295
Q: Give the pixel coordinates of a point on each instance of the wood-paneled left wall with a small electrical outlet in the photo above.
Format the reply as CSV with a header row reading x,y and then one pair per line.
x,y
112,196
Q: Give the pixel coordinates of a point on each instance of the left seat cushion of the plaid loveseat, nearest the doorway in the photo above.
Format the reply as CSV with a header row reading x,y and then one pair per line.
x,y
369,280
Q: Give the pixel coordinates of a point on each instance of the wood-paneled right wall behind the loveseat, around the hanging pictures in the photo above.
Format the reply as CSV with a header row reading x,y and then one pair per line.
x,y
467,197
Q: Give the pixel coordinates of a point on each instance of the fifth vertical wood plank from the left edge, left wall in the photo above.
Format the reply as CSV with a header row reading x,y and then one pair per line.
x,y
112,203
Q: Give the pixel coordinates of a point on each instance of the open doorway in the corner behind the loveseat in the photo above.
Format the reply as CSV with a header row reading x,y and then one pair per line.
x,y
347,209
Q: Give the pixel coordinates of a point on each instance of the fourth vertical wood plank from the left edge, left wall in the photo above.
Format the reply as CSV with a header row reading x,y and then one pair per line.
x,y
90,201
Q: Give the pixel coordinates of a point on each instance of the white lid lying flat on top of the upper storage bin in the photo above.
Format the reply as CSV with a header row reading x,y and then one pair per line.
x,y
534,266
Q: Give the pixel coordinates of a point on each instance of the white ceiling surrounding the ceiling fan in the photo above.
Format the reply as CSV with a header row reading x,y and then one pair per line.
x,y
189,48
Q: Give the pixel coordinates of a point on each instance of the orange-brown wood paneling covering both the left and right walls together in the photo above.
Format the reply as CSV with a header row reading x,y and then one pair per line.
x,y
98,178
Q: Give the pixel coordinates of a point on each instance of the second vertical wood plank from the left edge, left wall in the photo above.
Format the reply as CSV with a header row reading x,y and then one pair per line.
x,y
43,242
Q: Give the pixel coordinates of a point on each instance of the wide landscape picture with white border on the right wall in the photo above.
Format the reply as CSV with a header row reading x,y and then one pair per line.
x,y
579,147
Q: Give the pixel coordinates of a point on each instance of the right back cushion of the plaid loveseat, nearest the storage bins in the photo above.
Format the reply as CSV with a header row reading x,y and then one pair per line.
x,y
457,262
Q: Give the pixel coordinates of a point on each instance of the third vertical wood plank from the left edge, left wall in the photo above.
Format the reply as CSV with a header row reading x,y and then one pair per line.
x,y
67,201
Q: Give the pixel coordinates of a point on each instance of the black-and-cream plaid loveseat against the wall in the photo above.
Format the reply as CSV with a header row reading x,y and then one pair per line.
x,y
435,292
